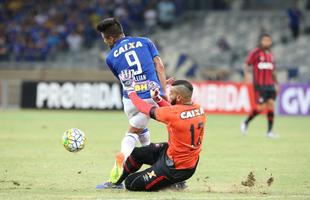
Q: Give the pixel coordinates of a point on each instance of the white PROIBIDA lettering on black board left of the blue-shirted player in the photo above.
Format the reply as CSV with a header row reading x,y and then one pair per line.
x,y
78,95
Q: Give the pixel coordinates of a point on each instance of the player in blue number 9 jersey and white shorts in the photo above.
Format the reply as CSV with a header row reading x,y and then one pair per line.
x,y
140,55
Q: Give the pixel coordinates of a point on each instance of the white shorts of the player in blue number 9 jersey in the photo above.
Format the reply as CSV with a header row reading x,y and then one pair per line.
x,y
136,118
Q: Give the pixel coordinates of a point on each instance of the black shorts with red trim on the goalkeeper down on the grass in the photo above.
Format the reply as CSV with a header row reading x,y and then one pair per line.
x,y
162,172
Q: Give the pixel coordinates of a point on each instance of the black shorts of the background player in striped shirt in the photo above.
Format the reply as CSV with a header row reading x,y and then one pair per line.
x,y
264,93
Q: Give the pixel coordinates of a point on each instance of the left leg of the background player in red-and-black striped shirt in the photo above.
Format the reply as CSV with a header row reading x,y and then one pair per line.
x,y
260,106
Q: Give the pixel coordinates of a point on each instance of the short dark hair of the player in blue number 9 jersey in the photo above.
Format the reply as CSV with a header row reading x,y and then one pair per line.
x,y
110,27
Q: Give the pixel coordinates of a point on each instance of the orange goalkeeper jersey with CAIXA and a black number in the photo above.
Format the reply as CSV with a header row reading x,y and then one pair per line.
x,y
185,124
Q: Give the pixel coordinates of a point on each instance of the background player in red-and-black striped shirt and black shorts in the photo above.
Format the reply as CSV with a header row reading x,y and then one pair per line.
x,y
262,62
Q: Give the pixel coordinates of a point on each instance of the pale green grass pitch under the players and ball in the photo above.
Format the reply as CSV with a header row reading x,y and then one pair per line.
x,y
35,165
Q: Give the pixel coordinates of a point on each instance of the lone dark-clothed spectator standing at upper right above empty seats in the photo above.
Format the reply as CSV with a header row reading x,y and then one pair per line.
x,y
295,16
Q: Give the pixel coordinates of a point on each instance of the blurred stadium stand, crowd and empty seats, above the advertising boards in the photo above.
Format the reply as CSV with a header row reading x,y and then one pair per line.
x,y
39,34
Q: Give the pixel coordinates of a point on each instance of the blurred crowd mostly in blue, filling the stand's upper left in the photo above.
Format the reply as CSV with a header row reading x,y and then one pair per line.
x,y
35,29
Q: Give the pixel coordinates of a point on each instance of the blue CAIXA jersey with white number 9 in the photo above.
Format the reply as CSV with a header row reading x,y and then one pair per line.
x,y
135,53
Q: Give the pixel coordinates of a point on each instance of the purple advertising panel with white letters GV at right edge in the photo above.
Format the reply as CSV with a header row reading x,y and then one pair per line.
x,y
295,100
